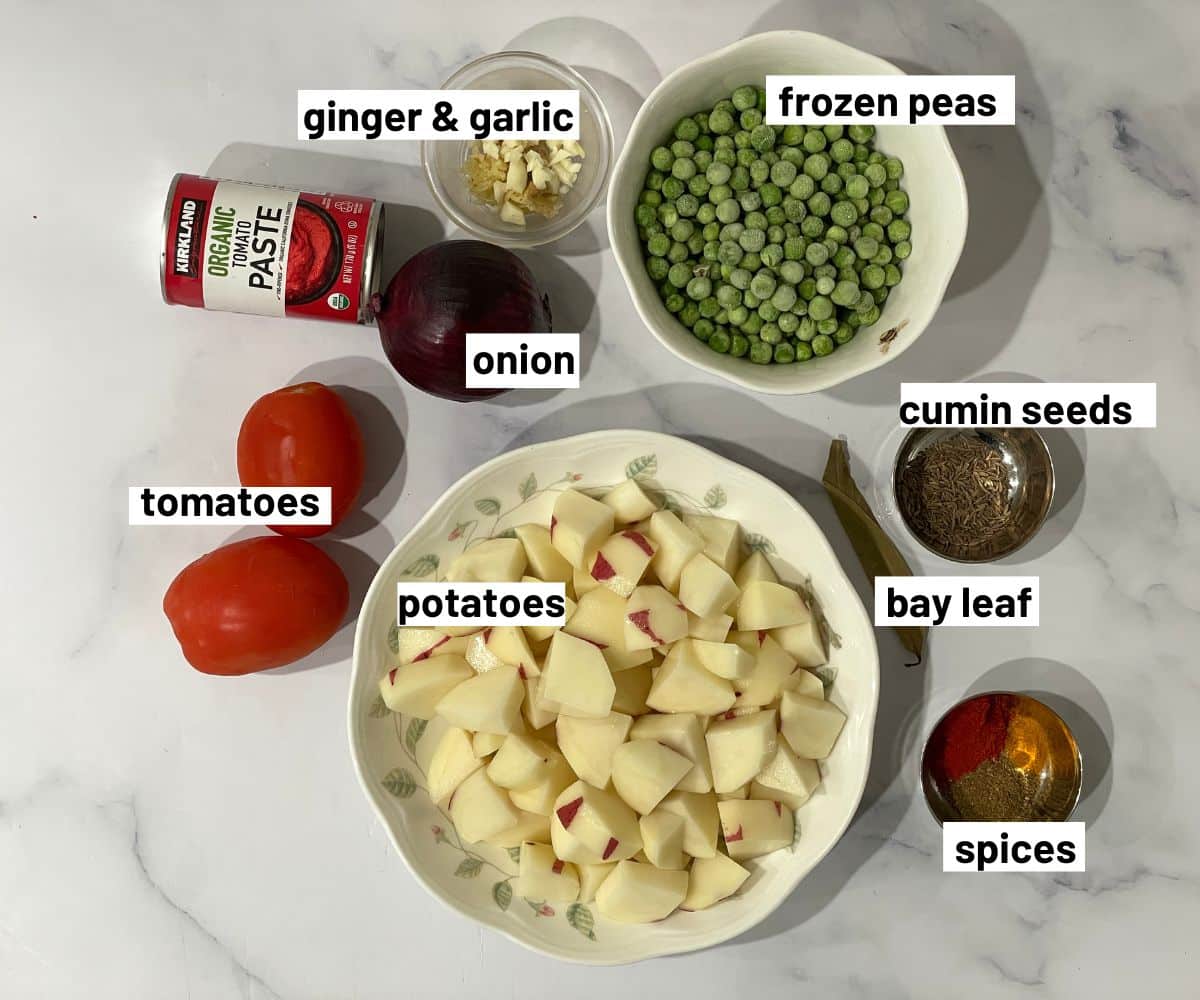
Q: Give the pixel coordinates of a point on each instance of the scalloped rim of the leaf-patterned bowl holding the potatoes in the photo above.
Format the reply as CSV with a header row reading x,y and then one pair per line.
x,y
385,576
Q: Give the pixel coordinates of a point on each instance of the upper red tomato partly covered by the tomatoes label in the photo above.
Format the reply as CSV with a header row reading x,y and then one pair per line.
x,y
303,436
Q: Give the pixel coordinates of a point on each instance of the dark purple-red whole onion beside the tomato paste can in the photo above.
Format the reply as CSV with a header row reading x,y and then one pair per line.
x,y
442,295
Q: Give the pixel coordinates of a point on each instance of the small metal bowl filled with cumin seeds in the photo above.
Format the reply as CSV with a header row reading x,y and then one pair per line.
x,y
1024,483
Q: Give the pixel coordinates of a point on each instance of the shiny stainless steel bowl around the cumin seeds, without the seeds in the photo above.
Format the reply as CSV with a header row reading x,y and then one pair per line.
x,y
1030,487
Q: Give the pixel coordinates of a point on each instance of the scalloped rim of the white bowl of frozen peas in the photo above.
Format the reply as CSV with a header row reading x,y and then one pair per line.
x,y
745,375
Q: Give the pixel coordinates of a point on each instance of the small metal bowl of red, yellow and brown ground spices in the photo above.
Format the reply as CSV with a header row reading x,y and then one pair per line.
x,y
1039,746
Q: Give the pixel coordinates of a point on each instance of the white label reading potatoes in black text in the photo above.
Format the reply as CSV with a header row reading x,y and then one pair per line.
x,y
455,606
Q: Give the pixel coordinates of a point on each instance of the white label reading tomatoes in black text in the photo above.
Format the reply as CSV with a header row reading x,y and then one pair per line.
x,y
231,506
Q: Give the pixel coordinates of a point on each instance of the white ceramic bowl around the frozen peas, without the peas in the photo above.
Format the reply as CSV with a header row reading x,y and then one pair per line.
x,y
933,179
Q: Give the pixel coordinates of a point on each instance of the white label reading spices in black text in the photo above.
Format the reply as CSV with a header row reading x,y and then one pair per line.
x,y
1013,847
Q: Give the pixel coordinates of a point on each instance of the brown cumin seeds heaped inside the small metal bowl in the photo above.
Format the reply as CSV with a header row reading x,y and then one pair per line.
x,y
958,492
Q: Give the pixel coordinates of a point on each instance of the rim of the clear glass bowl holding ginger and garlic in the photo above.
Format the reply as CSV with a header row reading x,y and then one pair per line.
x,y
589,93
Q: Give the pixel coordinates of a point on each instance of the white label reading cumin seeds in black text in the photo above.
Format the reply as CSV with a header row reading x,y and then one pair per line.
x,y
1029,404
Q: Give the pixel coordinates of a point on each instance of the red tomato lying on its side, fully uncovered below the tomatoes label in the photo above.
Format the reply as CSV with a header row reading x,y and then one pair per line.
x,y
256,604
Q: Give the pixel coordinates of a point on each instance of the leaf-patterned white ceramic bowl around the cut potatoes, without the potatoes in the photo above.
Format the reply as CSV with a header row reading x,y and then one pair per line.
x,y
391,752
